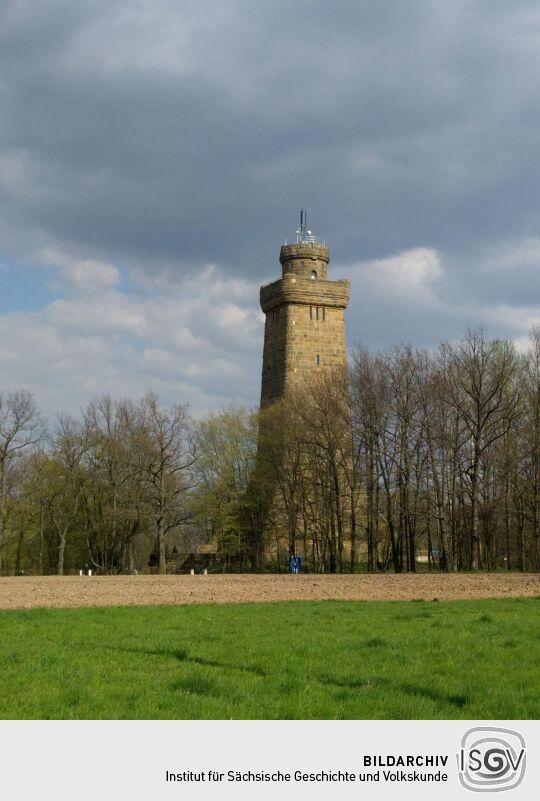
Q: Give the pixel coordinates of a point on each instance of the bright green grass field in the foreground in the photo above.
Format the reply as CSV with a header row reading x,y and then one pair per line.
x,y
459,659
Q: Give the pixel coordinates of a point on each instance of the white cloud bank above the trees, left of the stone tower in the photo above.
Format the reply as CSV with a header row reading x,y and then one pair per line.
x,y
197,340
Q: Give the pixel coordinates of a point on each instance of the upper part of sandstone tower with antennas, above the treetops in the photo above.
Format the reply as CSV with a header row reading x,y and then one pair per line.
x,y
305,322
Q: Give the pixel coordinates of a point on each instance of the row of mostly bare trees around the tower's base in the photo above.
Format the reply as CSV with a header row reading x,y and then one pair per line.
x,y
406,460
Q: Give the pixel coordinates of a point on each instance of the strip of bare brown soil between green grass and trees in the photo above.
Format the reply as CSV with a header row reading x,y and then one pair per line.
x,y
75,591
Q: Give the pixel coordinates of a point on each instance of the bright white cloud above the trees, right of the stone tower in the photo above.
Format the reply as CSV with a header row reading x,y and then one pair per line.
x,y
413,297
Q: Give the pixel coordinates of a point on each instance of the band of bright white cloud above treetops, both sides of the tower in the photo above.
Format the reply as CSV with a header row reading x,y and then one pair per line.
x,y
198,338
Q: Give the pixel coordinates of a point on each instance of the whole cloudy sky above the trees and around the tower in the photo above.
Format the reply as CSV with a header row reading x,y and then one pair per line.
x,y
155,154
